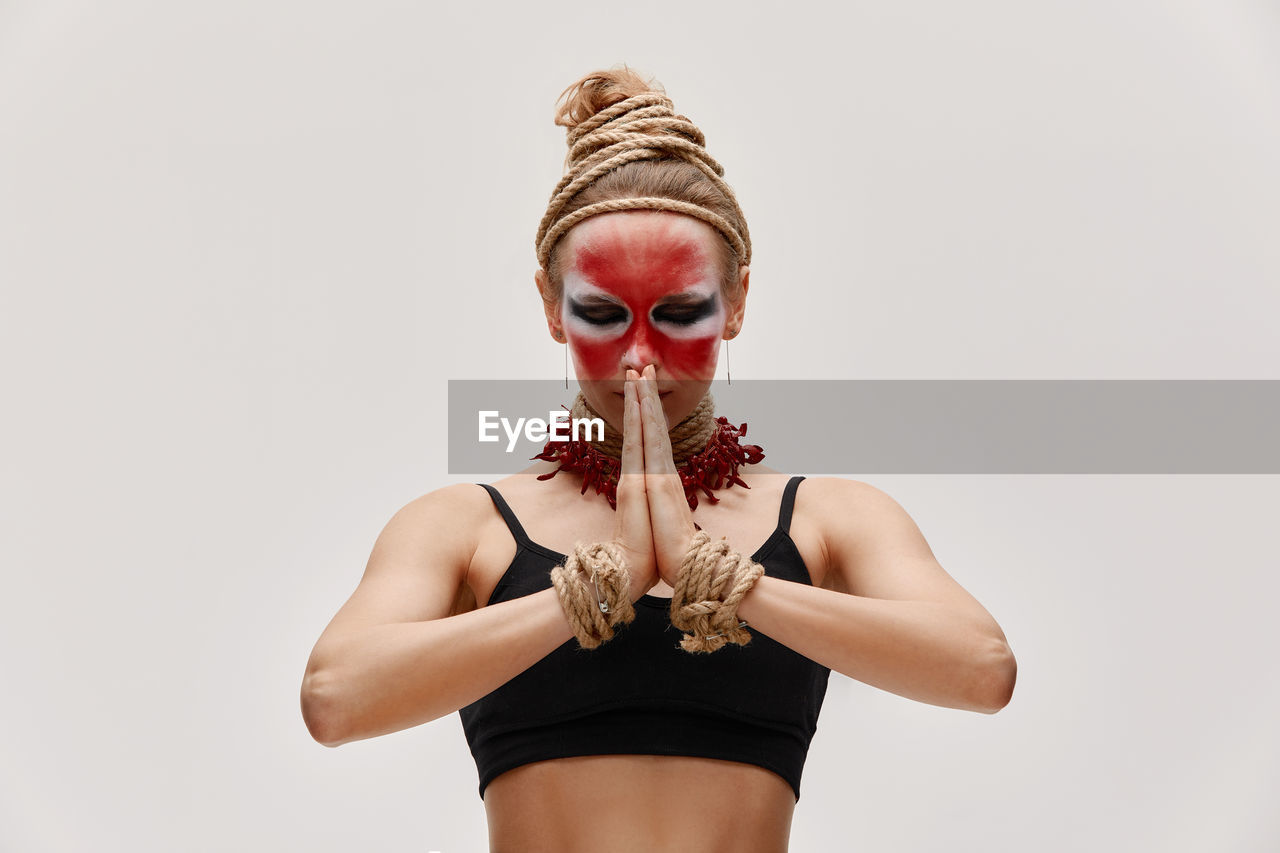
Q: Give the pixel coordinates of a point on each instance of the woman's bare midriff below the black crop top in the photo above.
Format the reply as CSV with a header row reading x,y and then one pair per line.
x,y
639,805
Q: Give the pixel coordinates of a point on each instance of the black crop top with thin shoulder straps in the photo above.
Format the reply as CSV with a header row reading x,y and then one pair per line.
x,y
641,694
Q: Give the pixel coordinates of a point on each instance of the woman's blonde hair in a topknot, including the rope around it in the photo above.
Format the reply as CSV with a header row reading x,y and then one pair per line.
x,y
630,152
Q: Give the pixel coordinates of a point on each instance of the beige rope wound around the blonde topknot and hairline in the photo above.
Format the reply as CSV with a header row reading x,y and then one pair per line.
x,y
643,127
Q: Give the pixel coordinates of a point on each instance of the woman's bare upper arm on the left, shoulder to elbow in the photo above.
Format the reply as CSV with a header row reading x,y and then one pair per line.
x,y
418,567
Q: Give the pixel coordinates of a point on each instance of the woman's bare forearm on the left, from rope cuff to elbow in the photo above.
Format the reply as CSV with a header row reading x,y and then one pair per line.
x,y
388,678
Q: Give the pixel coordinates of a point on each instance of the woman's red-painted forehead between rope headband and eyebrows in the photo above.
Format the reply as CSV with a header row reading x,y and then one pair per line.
x,y
642,253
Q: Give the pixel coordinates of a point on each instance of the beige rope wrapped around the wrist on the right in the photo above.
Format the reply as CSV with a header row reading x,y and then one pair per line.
x,y
714,580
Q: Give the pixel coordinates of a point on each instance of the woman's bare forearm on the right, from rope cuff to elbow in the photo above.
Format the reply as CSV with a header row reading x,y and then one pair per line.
x,y
920,650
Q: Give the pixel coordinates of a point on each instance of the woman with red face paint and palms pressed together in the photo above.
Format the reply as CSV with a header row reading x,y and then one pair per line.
x,y
629,679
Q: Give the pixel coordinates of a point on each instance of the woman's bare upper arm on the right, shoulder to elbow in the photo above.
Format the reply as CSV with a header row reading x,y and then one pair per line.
x,y
876,550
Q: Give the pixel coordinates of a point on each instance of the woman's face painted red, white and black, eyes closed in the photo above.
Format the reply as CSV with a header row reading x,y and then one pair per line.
x,y
644,288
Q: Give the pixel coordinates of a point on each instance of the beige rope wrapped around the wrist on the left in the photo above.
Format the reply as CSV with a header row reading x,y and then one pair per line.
x,y
595,590
